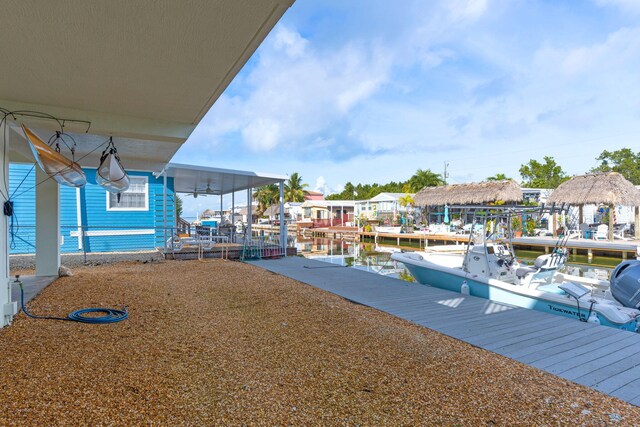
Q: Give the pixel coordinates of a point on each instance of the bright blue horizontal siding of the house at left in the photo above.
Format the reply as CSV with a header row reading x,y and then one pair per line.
x,y
105,230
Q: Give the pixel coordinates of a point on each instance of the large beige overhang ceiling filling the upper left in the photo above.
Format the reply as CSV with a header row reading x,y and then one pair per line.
x,y
144,72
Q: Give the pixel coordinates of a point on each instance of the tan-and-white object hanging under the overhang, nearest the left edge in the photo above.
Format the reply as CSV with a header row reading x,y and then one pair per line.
x,y
64,171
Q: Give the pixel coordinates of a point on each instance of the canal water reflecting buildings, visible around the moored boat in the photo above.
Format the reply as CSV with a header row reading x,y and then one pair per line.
x,y
370,257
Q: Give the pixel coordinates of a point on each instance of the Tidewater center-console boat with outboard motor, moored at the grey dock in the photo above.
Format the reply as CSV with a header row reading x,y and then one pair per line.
x,y
490,270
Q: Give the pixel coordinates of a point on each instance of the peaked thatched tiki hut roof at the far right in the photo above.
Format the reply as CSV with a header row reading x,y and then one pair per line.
x,y
609,188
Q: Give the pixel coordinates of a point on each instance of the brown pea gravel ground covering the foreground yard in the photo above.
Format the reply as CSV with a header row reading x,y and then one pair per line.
x,y
224,343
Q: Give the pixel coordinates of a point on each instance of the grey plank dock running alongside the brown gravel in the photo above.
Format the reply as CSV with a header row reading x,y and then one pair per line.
x,y
599,357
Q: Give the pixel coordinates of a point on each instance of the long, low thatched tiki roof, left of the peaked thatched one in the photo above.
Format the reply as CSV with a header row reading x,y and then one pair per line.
x,y
470,194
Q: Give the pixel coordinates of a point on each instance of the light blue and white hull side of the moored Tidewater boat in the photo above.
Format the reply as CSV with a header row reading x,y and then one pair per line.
x,y
452,279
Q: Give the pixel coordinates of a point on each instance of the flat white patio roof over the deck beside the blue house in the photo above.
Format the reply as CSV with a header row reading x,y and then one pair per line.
x,y
216,181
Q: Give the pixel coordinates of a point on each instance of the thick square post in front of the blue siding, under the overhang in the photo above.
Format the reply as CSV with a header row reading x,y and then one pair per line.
x,y
47,225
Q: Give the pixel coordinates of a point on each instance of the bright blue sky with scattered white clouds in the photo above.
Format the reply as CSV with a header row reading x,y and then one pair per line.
x,y
368,91
